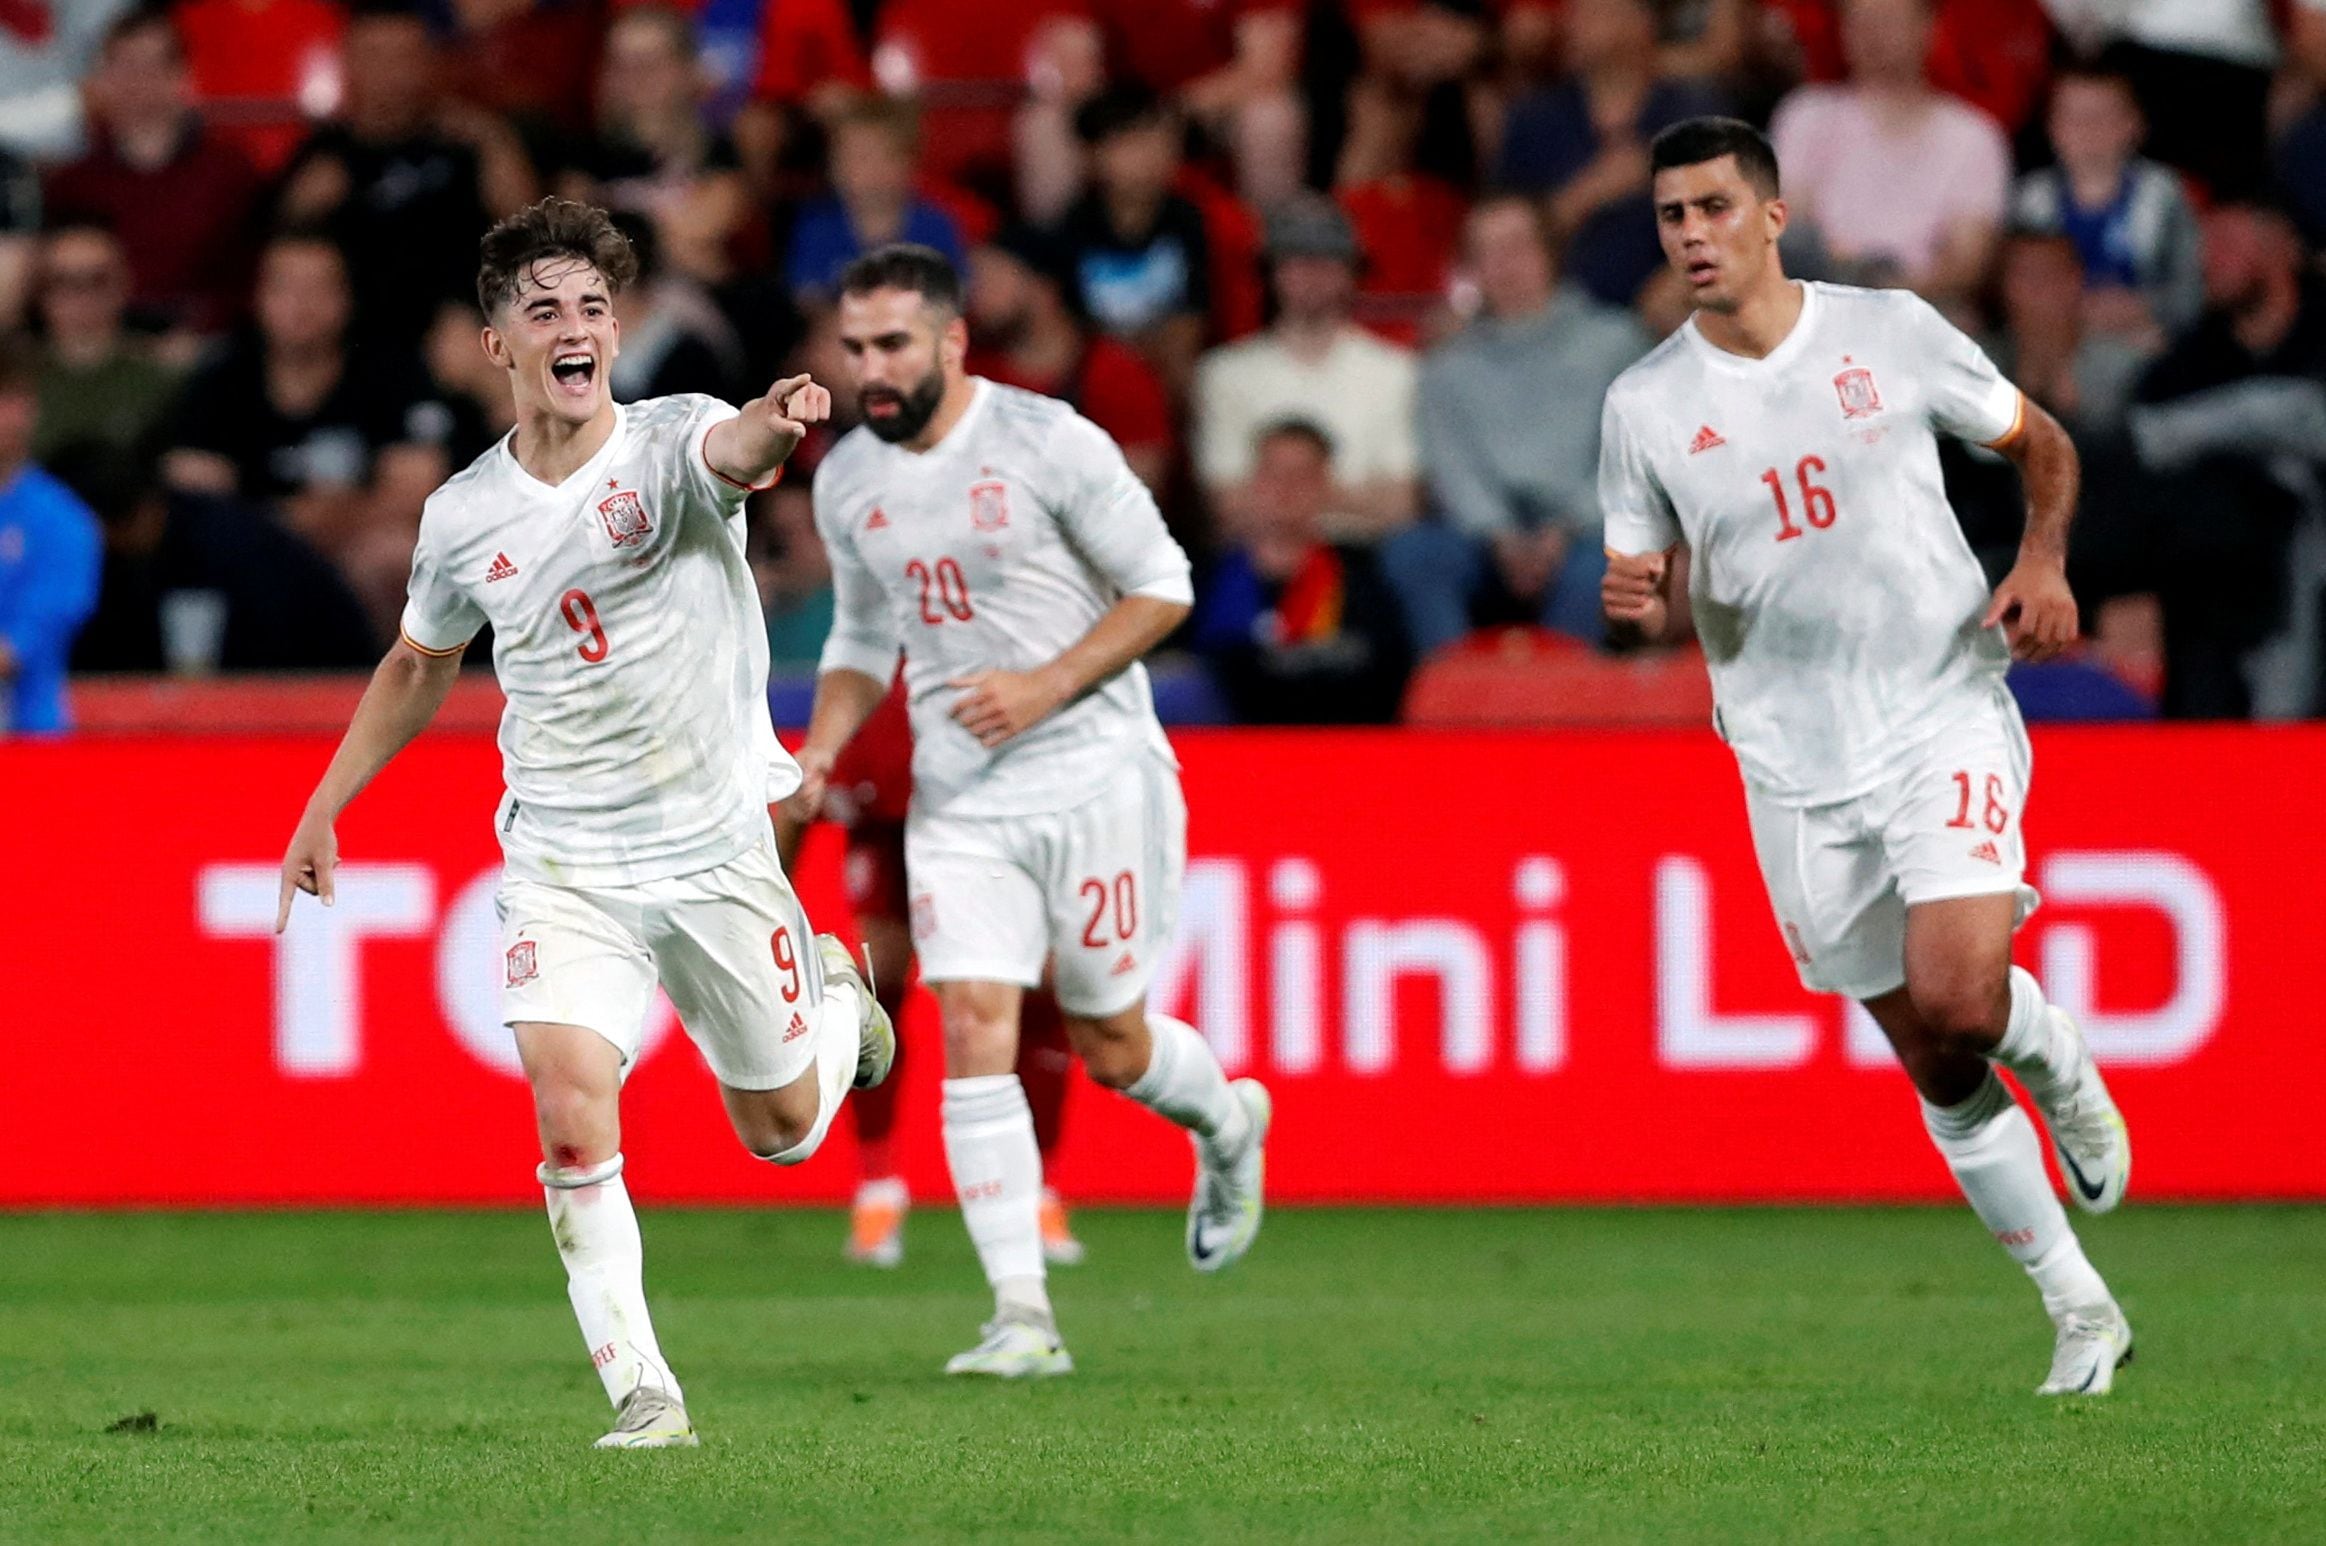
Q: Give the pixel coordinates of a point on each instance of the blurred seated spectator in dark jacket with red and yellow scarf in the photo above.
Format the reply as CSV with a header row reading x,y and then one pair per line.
x,y
1294,629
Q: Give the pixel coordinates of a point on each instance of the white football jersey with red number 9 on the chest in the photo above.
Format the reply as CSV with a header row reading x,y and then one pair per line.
x,y
629,640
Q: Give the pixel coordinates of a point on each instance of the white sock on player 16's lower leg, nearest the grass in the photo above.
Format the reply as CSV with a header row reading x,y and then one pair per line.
x,y
1997,1159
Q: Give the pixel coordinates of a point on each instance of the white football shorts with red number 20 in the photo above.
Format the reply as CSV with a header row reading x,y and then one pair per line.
x,y
1094,889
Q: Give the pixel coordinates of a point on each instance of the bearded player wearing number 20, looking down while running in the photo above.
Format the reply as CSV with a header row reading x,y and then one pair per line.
x,y
1008,550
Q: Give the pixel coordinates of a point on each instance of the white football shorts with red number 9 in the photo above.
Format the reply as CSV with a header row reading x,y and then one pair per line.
x,y
729,945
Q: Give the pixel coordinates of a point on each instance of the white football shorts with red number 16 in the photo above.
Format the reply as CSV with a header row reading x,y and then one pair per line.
x,y
1948,826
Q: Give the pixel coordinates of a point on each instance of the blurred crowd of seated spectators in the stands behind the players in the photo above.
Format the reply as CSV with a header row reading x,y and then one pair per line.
x,y
1346,278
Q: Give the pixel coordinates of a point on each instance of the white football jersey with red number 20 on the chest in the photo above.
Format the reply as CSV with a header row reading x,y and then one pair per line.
x,y
997,550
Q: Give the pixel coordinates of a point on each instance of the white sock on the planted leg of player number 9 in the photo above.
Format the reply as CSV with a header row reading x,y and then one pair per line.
x,y
606,1277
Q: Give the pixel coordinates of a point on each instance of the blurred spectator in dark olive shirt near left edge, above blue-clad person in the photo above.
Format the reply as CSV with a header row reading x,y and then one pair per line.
x,y
97,385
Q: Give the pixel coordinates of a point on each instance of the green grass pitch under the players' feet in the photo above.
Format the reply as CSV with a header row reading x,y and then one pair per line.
x,y
1362,1377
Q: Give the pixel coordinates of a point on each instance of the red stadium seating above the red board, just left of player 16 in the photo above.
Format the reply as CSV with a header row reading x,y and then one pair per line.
x,y
1539,678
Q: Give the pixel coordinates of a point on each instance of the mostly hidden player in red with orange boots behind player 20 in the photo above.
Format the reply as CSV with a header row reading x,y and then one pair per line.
x,y
869,794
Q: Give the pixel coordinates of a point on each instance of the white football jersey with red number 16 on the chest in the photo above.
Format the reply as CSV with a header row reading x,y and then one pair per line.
x,y
1834,592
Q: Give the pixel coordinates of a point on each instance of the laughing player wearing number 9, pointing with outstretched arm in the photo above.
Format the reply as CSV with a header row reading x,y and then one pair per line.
x,y
604,547
